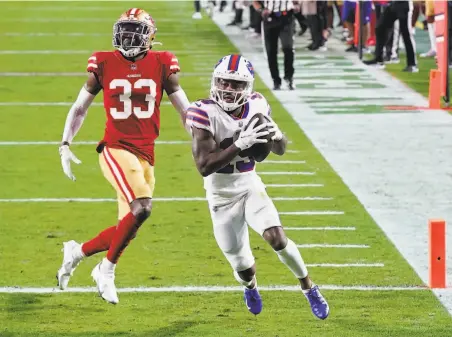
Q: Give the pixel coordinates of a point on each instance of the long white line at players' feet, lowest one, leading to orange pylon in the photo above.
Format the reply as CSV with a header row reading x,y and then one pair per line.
x,y
36,290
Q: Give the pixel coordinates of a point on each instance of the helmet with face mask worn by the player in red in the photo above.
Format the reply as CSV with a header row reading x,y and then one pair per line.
x,y
134,32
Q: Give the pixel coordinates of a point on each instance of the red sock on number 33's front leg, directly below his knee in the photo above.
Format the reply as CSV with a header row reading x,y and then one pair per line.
x,y
125,232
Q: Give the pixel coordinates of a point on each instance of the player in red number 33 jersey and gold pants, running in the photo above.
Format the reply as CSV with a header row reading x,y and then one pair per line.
x,y
132,78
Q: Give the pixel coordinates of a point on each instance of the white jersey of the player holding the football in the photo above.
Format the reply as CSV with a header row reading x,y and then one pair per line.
x,y
239,175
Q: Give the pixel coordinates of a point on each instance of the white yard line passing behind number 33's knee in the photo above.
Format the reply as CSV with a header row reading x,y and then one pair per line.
x,y
154,199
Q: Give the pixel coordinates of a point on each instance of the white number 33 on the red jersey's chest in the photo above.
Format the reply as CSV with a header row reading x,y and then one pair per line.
x,y
125,98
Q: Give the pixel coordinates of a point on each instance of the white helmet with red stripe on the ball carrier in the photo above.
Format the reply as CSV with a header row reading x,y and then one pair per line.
x,y
232,82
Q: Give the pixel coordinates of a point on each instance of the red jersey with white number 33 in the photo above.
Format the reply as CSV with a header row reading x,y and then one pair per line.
x,y
132,95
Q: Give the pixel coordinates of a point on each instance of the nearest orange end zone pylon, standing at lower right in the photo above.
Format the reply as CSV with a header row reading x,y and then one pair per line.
x,y
437,253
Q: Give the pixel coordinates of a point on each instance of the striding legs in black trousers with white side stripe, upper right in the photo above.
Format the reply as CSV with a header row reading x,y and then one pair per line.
x,y
402,11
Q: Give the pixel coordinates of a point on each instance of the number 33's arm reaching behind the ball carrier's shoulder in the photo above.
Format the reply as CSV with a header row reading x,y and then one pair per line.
x,y
173,89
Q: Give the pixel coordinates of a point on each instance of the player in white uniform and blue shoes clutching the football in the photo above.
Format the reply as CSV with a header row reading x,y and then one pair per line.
x,y
236,195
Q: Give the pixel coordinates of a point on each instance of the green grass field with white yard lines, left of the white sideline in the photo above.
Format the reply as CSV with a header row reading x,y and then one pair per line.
x,y
176,246
